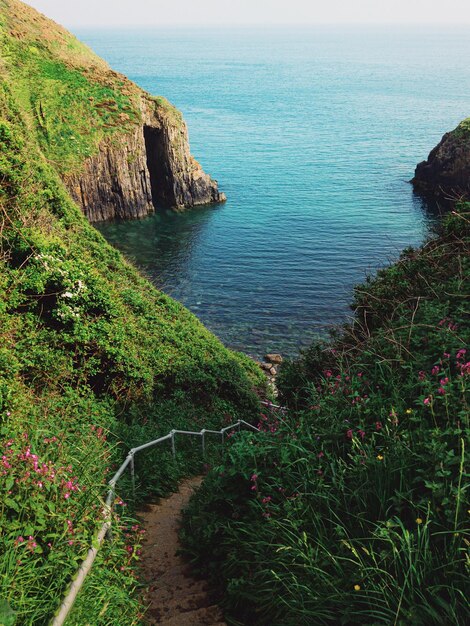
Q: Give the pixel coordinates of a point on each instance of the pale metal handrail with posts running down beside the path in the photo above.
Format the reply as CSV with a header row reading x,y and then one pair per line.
x,y
106,527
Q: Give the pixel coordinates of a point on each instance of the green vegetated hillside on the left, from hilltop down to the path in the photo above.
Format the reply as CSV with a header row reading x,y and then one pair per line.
x,y
90,354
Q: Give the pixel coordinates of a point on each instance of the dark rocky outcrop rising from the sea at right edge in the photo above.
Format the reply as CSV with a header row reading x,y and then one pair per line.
x,y
447,169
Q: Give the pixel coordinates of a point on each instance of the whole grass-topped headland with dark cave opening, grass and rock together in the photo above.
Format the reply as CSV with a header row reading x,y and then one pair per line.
x,y
121,152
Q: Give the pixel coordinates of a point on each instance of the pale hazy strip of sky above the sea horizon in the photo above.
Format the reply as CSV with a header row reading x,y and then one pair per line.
x,y
198,12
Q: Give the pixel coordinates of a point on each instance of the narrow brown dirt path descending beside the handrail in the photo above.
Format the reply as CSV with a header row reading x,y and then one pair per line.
x,y
175,598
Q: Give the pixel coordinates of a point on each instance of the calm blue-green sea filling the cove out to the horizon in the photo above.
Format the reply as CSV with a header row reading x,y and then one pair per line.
x,y
313,133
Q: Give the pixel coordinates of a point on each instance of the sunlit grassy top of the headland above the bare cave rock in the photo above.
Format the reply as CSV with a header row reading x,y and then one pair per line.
x,y
70,99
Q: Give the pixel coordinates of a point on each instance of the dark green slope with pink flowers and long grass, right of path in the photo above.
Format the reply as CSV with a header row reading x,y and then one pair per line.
x,y
353,508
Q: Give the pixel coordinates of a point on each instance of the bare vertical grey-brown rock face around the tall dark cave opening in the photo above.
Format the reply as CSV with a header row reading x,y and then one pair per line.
x,y
146,168
